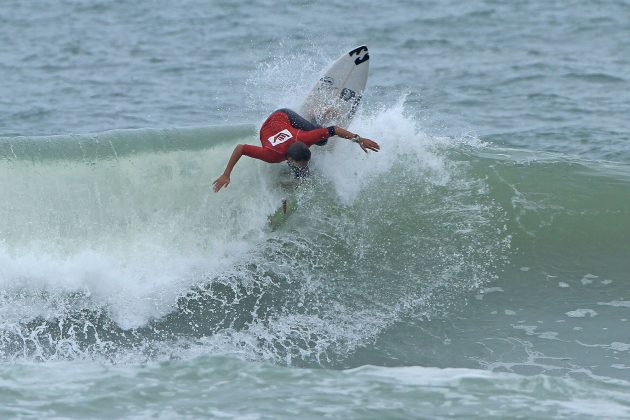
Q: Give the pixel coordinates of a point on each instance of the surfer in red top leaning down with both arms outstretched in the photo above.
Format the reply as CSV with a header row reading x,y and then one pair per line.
x,y
286,135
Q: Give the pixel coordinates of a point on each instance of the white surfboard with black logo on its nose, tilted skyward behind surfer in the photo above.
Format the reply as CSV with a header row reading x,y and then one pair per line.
x,y
335,97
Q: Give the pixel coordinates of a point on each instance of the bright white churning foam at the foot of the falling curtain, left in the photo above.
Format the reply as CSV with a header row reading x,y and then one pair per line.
x,y
135,289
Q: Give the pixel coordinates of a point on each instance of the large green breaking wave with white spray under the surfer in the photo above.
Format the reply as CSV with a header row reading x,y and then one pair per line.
x,y
113,246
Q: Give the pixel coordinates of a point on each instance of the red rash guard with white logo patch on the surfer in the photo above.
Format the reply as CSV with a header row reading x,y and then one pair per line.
x,y
277,134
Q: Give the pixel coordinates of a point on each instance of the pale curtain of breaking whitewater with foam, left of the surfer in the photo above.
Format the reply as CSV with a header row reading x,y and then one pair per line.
x,y
132,251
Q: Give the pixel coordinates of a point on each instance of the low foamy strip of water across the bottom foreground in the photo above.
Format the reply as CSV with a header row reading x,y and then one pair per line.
x,y
207,384
